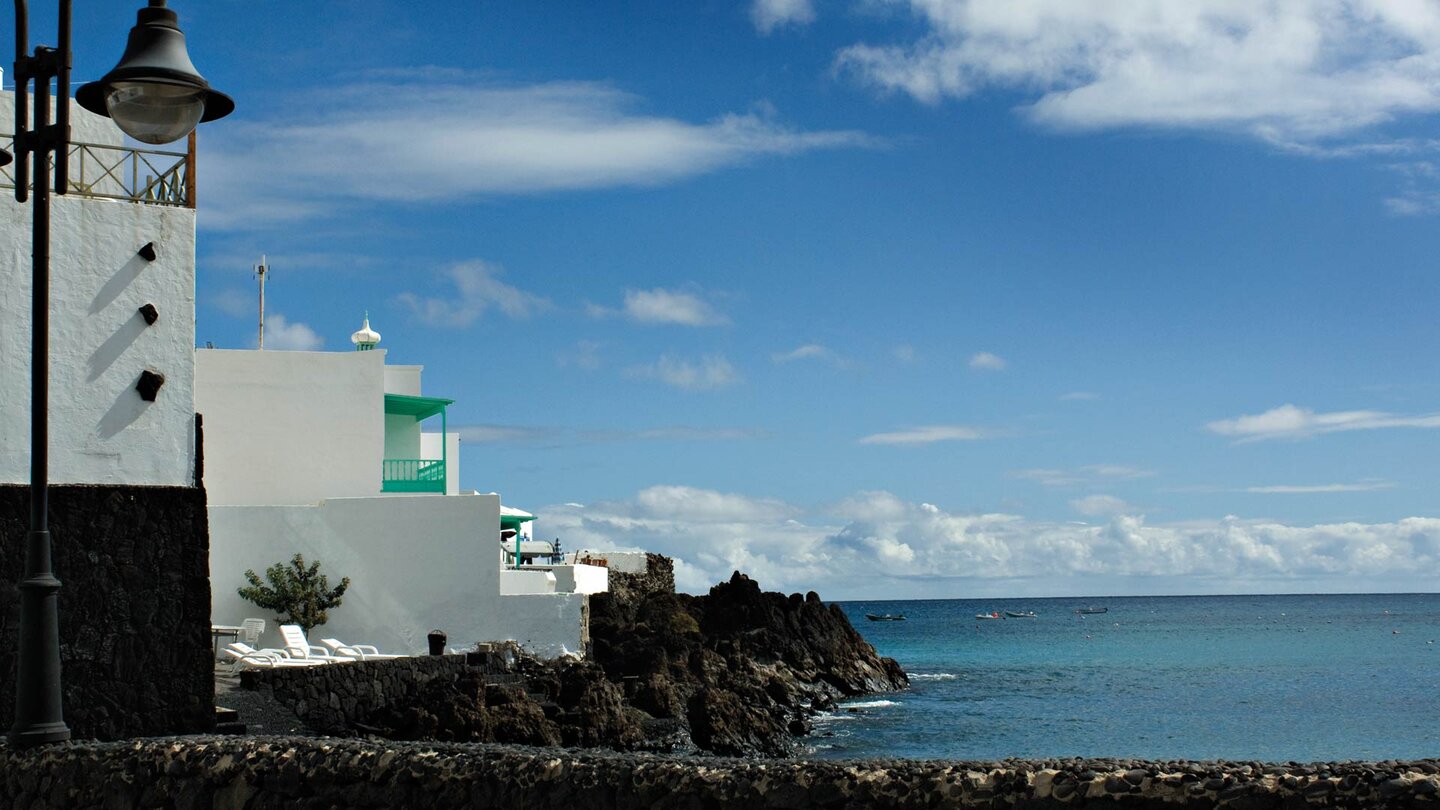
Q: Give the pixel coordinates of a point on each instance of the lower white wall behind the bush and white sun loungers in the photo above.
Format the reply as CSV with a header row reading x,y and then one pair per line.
x,y
415,564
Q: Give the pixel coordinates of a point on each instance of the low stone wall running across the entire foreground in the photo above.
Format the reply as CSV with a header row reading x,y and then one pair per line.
x,y
263,773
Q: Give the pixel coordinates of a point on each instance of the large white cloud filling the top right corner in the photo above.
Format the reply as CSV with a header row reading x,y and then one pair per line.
x,y
1300,70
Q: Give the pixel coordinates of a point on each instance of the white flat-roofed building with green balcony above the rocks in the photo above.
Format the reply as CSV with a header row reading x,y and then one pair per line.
x,y
323,453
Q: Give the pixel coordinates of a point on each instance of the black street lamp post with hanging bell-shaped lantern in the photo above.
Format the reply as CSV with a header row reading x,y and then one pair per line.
x,y
155,96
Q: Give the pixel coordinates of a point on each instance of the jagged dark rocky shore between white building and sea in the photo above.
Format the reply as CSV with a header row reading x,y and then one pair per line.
x,y
734,672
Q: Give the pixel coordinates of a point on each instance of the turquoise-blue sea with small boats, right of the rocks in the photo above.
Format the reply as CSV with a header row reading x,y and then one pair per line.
x,y
1275,678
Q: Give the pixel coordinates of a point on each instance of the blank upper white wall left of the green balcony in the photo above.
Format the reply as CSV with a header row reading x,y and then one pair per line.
x,y
292,427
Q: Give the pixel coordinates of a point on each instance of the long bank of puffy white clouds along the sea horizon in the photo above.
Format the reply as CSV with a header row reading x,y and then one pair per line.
x,y
879,546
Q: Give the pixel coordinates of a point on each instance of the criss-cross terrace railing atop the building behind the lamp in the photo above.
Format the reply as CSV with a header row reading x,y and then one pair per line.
x,y
123,174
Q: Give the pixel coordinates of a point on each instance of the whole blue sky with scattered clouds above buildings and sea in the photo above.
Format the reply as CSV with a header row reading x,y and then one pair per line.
x,y
875,298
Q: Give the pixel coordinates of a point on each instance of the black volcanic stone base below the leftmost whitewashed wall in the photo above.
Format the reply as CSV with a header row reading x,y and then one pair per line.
x,y
135,607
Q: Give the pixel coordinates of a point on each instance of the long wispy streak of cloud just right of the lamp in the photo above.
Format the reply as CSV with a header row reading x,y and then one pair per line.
x,y
433,135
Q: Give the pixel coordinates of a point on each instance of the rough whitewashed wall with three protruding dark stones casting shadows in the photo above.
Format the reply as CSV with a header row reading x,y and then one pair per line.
x,y
102,432
